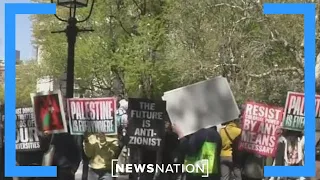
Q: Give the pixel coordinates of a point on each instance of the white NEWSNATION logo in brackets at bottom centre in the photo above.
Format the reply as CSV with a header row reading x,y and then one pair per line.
x,y
201,167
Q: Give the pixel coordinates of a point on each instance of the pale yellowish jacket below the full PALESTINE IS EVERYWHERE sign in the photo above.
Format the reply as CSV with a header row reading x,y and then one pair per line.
x,y
101,150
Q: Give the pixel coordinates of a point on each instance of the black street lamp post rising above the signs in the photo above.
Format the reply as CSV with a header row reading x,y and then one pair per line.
x,y
71,32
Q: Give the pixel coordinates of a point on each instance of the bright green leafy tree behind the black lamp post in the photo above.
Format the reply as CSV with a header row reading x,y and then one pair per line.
x,y
123,56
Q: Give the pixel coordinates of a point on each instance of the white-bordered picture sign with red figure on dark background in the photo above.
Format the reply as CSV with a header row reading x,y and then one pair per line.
x,y
49,112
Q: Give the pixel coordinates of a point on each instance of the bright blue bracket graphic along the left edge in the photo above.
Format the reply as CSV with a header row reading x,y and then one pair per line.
x,y
11,170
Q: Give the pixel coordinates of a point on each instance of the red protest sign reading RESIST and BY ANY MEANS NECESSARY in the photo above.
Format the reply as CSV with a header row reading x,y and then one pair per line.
x,y
261,125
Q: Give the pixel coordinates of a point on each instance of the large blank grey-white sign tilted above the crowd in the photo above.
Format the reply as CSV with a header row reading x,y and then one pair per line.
x,y
204,104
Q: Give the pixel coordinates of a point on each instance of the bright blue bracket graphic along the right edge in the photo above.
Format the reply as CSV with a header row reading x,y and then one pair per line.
x,y
309,12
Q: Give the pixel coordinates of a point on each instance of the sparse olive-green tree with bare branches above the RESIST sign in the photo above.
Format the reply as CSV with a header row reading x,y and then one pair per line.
x,y
260,55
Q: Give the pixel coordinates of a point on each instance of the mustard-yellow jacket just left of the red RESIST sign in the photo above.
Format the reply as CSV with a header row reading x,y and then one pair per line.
x,y
233,131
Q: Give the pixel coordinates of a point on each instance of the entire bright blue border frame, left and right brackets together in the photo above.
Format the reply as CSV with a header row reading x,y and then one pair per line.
x,y
11,9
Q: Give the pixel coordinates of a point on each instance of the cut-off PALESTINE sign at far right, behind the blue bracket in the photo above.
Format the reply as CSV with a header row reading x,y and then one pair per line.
x,y
294,112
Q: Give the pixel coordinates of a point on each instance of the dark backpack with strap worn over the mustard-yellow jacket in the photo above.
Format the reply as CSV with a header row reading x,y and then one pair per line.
x,y
238,157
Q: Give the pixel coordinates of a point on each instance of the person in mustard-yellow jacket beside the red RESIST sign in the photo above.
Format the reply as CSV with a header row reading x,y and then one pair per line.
x,y
230,162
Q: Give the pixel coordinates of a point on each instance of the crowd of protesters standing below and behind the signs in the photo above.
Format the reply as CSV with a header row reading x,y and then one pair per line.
x,y
99,149
